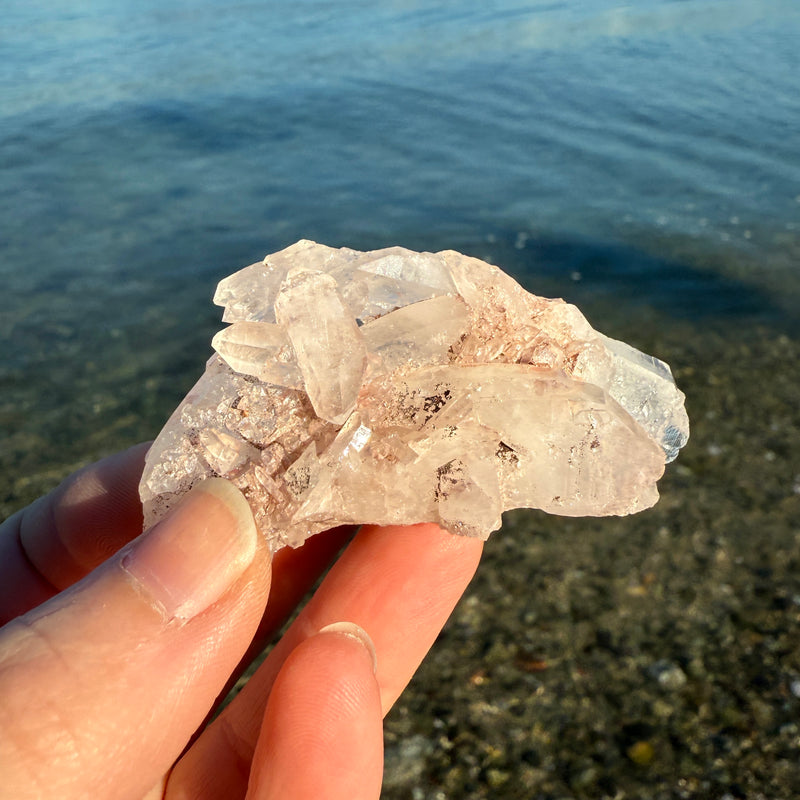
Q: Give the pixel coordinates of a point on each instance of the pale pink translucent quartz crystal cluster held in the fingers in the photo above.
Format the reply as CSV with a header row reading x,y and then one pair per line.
x,y
400,387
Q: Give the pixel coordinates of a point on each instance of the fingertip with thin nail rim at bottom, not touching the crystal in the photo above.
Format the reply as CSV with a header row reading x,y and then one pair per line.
x,y
322,733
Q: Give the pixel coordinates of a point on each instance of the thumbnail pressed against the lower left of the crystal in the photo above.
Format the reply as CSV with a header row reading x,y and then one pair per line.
x,y
187,561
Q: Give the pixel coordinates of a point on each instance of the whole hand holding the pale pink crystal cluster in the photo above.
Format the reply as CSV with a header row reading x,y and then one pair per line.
x,y
118,648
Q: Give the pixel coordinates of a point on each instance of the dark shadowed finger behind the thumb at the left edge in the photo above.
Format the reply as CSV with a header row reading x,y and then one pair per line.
x,y
63,536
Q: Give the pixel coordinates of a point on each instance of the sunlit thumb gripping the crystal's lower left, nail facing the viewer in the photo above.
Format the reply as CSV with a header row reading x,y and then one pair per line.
x,y
102,686
